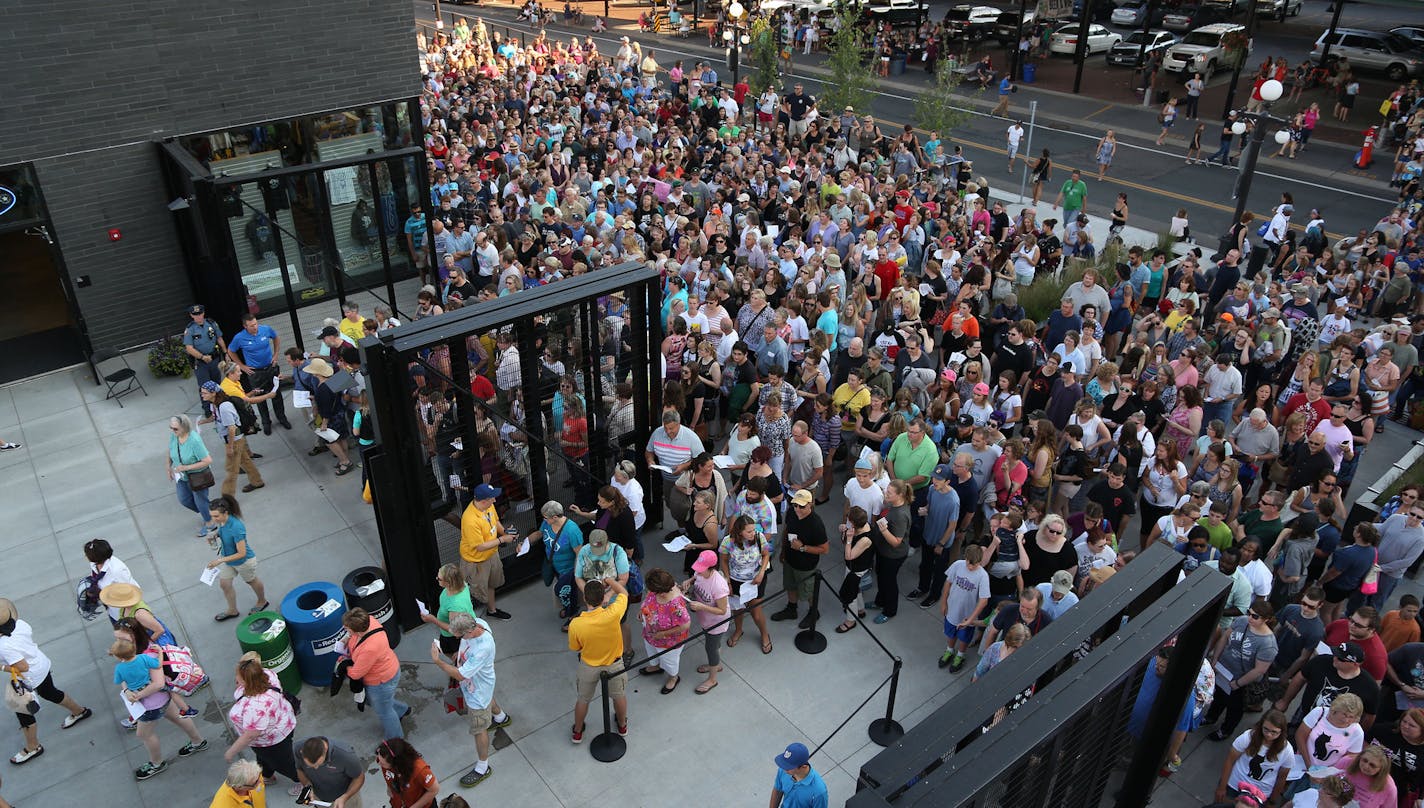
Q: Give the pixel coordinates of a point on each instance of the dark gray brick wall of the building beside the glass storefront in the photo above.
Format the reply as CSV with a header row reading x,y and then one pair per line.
x,y
92,86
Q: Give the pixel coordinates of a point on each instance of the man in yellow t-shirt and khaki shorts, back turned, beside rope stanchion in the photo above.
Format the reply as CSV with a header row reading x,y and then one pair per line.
x,y
597,636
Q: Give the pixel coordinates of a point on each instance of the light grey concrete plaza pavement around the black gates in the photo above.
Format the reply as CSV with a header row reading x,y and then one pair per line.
x,y
93,470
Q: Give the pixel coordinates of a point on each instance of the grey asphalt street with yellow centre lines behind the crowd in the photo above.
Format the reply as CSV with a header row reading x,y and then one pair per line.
x,y
1157,179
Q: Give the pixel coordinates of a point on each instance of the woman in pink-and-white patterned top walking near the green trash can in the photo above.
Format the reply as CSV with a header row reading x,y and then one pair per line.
x,y
264,720
